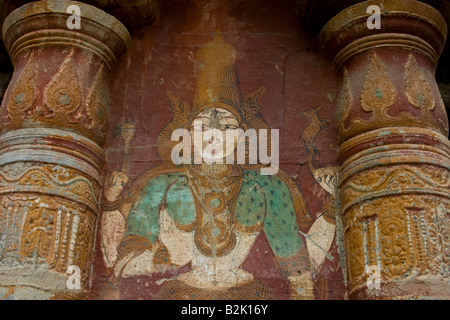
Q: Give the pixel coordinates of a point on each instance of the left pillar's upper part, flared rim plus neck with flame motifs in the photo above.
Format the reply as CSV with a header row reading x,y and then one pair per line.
x,y
60,73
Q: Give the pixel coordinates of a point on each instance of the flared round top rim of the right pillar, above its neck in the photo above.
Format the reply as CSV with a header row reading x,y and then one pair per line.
x,y
407,24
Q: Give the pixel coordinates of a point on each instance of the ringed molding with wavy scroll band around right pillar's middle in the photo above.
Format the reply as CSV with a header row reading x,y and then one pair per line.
x,y
397,161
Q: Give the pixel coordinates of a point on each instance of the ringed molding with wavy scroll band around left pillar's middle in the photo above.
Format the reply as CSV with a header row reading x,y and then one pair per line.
x,y
51,162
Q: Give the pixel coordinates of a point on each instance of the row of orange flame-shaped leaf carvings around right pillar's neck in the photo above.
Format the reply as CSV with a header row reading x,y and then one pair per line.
x,y
379,95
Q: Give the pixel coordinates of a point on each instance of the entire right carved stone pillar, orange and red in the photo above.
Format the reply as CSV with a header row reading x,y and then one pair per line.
x,y
394,153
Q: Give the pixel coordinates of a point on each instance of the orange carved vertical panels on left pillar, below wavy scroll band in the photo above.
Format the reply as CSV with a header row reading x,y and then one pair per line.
x,y
41,229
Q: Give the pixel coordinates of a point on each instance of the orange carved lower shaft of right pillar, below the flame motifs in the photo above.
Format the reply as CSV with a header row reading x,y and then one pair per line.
x,y
395,206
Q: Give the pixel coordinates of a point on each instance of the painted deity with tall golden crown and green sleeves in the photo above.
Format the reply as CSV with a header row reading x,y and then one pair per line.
x,y
204,218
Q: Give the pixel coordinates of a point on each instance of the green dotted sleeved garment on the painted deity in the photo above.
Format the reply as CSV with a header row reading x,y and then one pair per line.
x,y
261,199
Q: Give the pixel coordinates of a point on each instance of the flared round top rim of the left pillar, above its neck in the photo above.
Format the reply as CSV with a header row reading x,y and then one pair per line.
x,y
43,24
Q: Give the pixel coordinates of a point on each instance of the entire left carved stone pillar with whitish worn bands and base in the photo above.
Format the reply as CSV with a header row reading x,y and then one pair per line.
x,y
52,124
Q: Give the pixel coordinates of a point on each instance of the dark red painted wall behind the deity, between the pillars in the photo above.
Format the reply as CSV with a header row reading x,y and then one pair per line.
x,y
273,51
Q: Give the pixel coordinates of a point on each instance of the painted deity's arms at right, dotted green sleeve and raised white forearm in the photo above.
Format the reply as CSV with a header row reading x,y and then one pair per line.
x,y
299,253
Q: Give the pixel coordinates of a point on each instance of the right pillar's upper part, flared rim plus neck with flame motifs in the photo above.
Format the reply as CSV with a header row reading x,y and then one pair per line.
x,y
388,73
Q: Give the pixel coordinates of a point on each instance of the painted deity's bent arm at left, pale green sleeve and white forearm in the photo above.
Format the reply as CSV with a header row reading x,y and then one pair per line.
x,y
152,242
